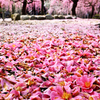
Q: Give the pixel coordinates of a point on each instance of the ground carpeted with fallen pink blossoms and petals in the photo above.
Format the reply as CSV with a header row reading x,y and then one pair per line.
x,y
50,60
